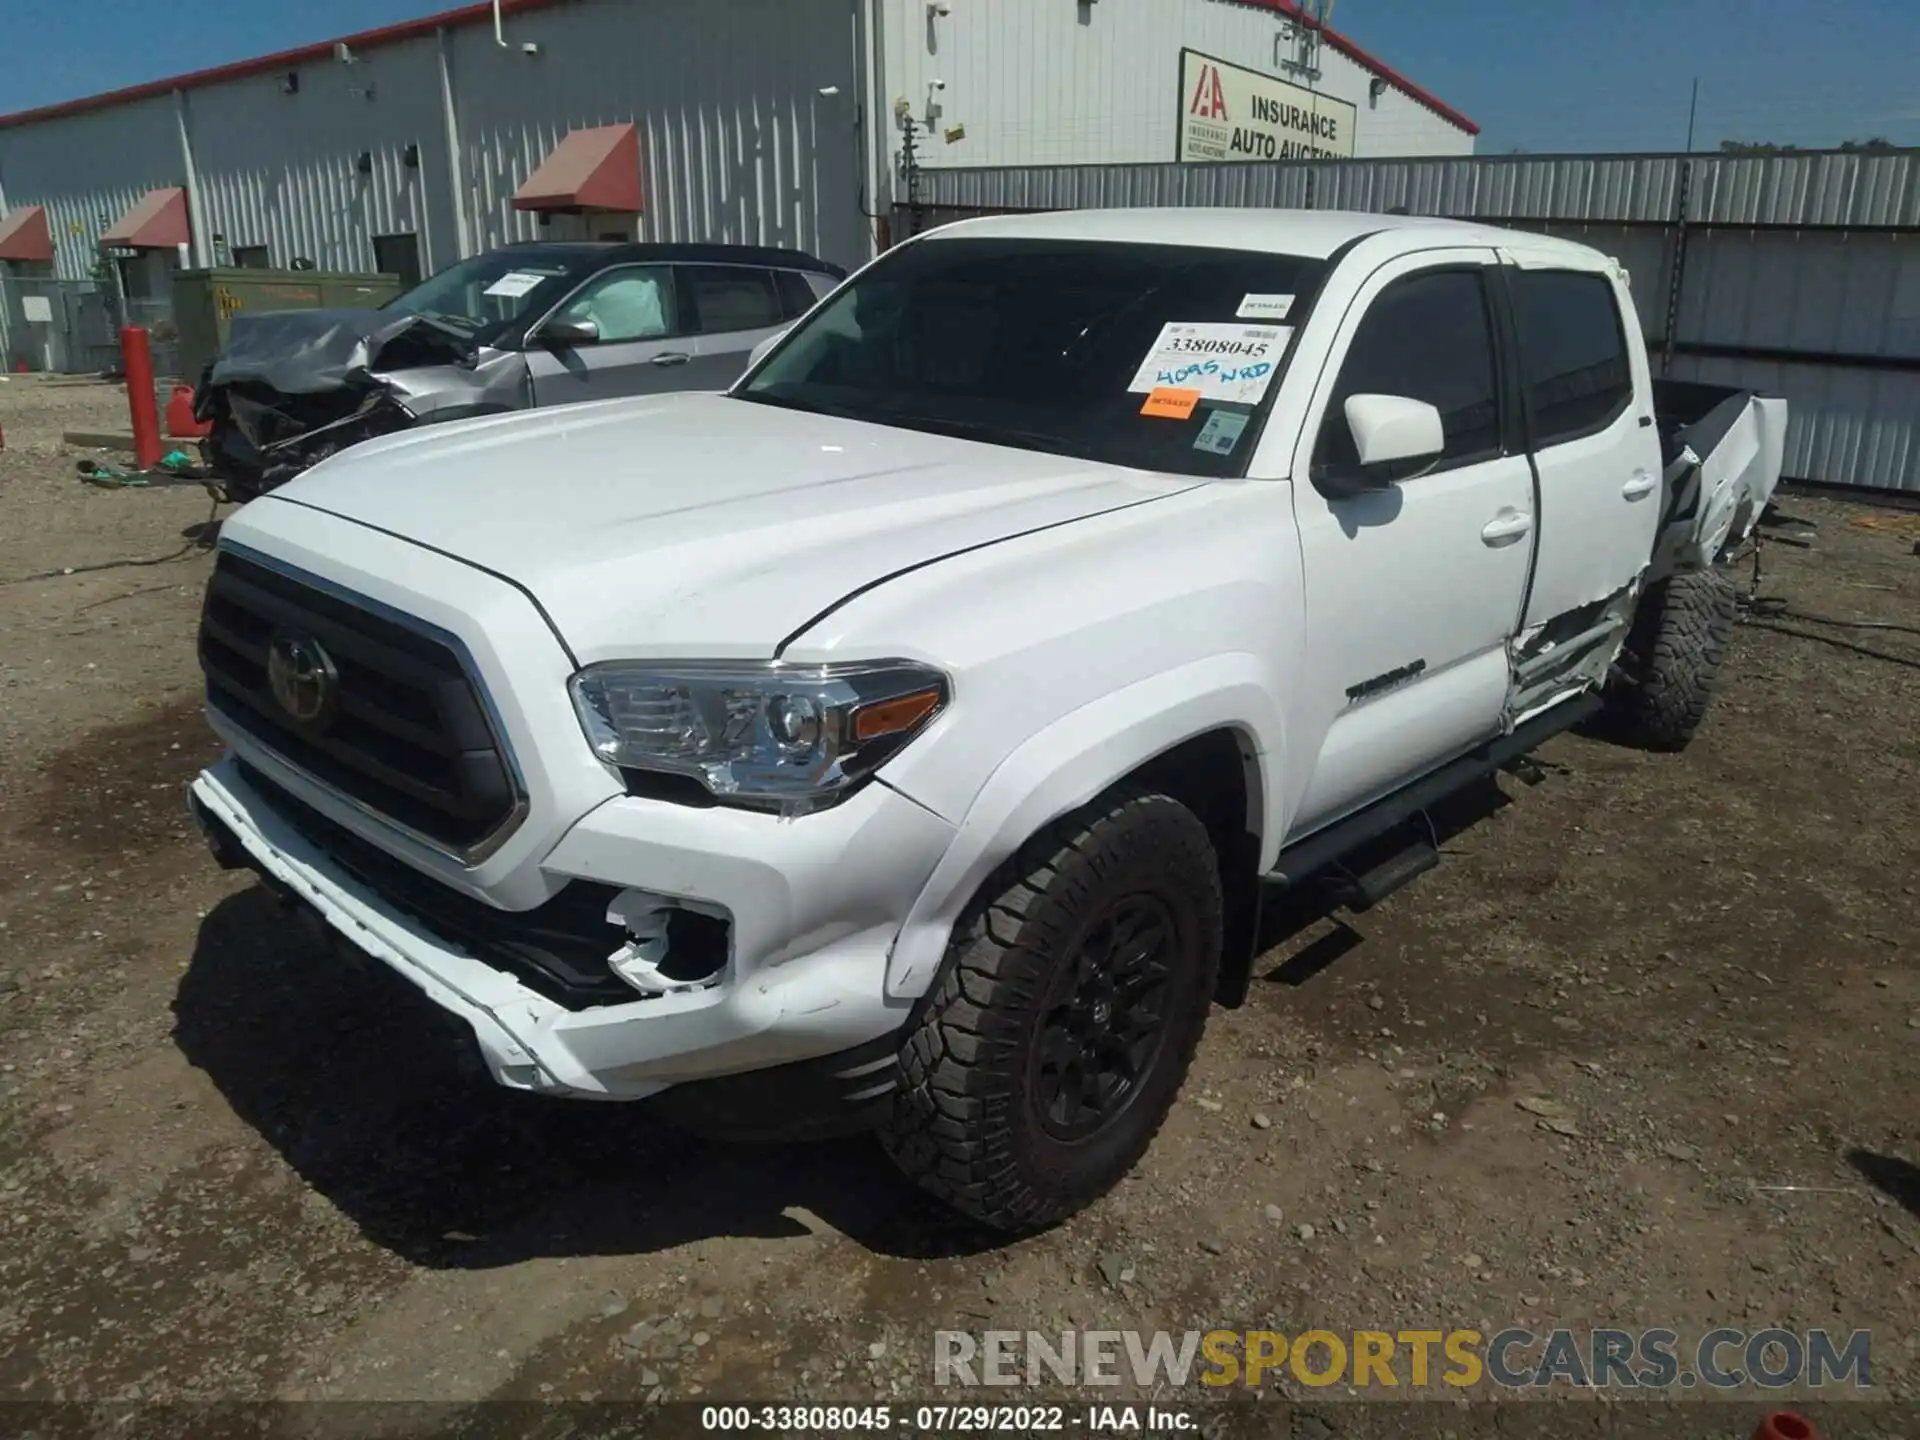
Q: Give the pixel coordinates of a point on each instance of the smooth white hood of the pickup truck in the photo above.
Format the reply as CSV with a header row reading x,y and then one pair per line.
x,y
698,525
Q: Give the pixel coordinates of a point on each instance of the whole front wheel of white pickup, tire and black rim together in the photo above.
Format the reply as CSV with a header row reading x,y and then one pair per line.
x,y
1051,1045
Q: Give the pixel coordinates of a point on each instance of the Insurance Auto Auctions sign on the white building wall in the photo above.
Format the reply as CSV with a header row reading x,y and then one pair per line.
x,y
1239,114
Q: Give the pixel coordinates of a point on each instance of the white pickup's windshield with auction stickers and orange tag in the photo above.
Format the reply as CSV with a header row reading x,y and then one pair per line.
x,y
1145,356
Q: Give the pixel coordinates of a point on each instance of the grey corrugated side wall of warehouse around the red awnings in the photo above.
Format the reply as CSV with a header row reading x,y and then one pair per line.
x,y
748,116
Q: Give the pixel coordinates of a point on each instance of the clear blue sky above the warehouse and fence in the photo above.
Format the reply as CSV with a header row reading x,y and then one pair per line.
x,y
1545,76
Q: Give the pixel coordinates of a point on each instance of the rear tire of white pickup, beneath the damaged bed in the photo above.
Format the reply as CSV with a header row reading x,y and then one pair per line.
x,y
1673,661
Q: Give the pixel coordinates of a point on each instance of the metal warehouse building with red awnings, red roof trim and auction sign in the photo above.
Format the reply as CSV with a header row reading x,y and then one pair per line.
x,y
767,122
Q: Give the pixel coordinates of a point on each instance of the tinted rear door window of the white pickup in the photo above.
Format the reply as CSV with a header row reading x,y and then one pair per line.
x,y
1573,352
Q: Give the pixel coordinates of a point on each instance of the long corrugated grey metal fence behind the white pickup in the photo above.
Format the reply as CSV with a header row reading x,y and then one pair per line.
x,y
1792,274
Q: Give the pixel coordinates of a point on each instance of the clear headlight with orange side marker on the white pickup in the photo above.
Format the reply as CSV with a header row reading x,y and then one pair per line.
x,y
777,736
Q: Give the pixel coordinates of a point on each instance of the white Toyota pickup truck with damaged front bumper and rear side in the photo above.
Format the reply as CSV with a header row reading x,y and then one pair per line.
x,y
905,738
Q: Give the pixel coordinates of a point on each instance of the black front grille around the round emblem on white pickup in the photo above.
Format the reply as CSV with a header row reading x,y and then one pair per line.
x,y
406,736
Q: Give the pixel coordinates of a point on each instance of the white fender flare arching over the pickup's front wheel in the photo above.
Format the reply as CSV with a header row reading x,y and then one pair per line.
x,y
1070,763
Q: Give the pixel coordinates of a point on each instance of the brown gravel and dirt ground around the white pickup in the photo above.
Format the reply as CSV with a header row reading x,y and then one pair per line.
x,y
1641,1053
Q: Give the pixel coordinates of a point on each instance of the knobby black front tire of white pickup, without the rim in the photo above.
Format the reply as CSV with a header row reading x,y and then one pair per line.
x,y
965,1118
